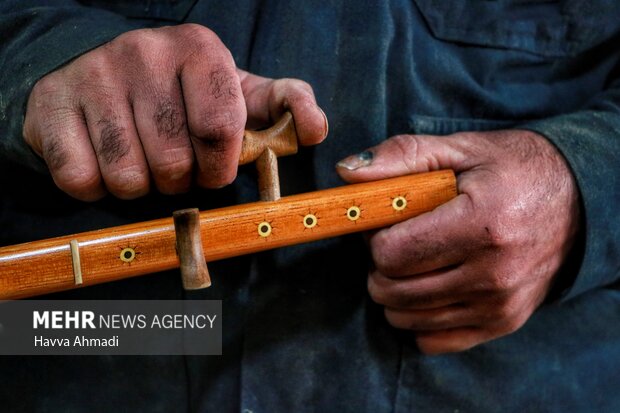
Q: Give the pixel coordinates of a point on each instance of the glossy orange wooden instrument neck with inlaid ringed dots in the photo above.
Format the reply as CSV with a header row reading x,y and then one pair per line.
x,y
110,254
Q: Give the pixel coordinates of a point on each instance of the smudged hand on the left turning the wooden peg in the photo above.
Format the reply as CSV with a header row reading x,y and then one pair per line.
x,y
156,103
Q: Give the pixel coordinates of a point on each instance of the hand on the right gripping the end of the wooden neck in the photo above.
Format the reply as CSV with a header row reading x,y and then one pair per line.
x,y
477,267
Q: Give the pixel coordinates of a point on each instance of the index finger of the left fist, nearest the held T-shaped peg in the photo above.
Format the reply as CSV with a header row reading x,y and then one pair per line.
x,y
216,112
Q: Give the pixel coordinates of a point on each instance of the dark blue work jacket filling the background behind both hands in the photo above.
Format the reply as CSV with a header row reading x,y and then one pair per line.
x,y
300,331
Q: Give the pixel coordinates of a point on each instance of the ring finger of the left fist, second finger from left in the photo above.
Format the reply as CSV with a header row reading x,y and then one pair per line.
x,y
117,146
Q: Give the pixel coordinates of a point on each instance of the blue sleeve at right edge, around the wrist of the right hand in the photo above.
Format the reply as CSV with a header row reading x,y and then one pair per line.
x,y
590,141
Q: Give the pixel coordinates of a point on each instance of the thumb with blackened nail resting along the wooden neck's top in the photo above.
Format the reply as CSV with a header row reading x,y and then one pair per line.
x,y
402,155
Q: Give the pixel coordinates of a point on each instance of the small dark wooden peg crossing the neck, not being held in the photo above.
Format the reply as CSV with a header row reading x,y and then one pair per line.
x,y
194,271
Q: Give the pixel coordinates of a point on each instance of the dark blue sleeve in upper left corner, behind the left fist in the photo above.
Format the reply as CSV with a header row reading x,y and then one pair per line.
x,y
38,36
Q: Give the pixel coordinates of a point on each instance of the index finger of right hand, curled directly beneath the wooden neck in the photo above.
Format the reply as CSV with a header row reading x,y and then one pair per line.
x,y
443,237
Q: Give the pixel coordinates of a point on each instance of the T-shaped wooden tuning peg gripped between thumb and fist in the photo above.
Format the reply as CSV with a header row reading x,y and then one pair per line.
x,y
265,147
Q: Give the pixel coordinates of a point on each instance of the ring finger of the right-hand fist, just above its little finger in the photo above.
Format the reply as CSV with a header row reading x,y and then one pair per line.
x,y
448,317
